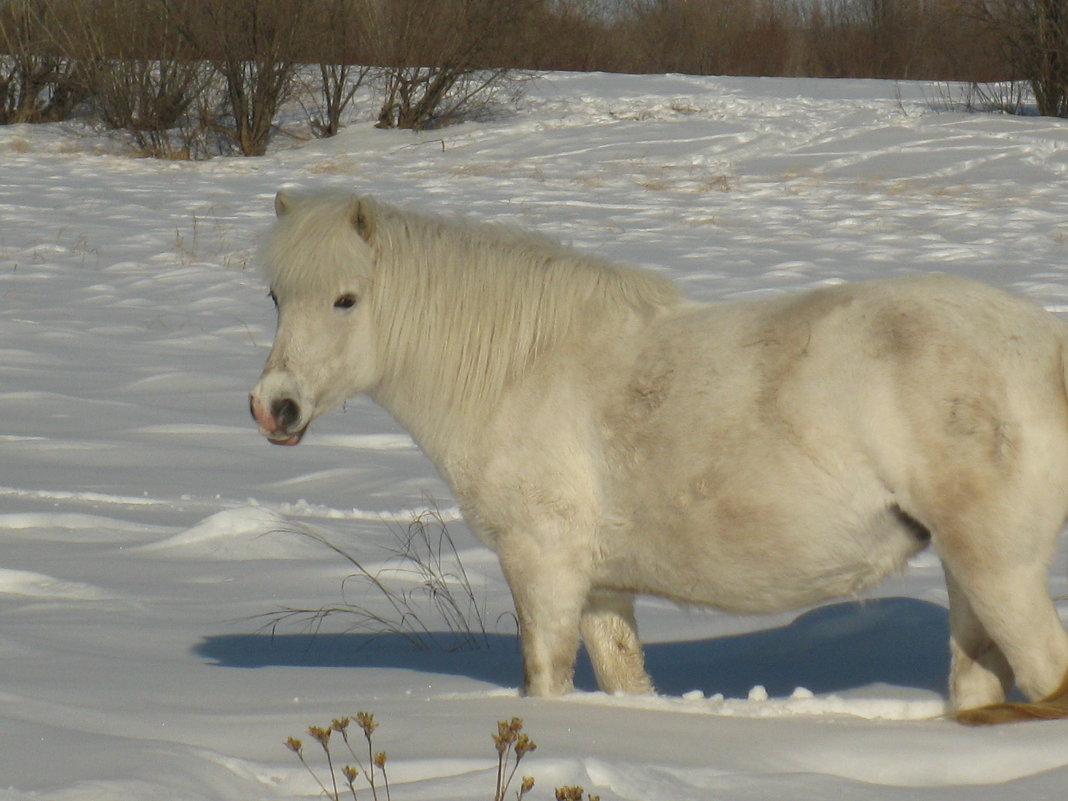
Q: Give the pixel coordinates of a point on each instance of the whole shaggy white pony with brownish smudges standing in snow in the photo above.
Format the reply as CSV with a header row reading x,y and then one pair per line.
x,y
606,437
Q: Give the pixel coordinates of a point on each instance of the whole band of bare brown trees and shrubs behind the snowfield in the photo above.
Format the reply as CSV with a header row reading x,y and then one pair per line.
x,y
196,77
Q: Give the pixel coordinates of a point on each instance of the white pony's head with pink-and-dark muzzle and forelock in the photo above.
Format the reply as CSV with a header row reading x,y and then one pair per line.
x,y
320,262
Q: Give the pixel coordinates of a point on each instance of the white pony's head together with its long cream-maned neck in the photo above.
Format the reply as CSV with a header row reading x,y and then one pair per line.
x,y
430,317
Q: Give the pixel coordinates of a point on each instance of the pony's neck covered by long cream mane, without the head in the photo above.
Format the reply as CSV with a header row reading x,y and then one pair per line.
x,y
465,313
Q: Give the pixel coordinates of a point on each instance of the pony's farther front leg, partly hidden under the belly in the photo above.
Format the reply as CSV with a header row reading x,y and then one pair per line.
x,y
610,634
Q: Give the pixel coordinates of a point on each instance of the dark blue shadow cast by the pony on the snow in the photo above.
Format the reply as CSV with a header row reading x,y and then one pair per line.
x,y
893,641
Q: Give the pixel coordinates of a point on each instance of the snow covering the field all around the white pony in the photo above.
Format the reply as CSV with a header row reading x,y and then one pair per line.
x,y
150,538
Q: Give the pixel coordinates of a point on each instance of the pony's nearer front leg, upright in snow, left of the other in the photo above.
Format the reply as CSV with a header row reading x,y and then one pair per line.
x,y
549,587
